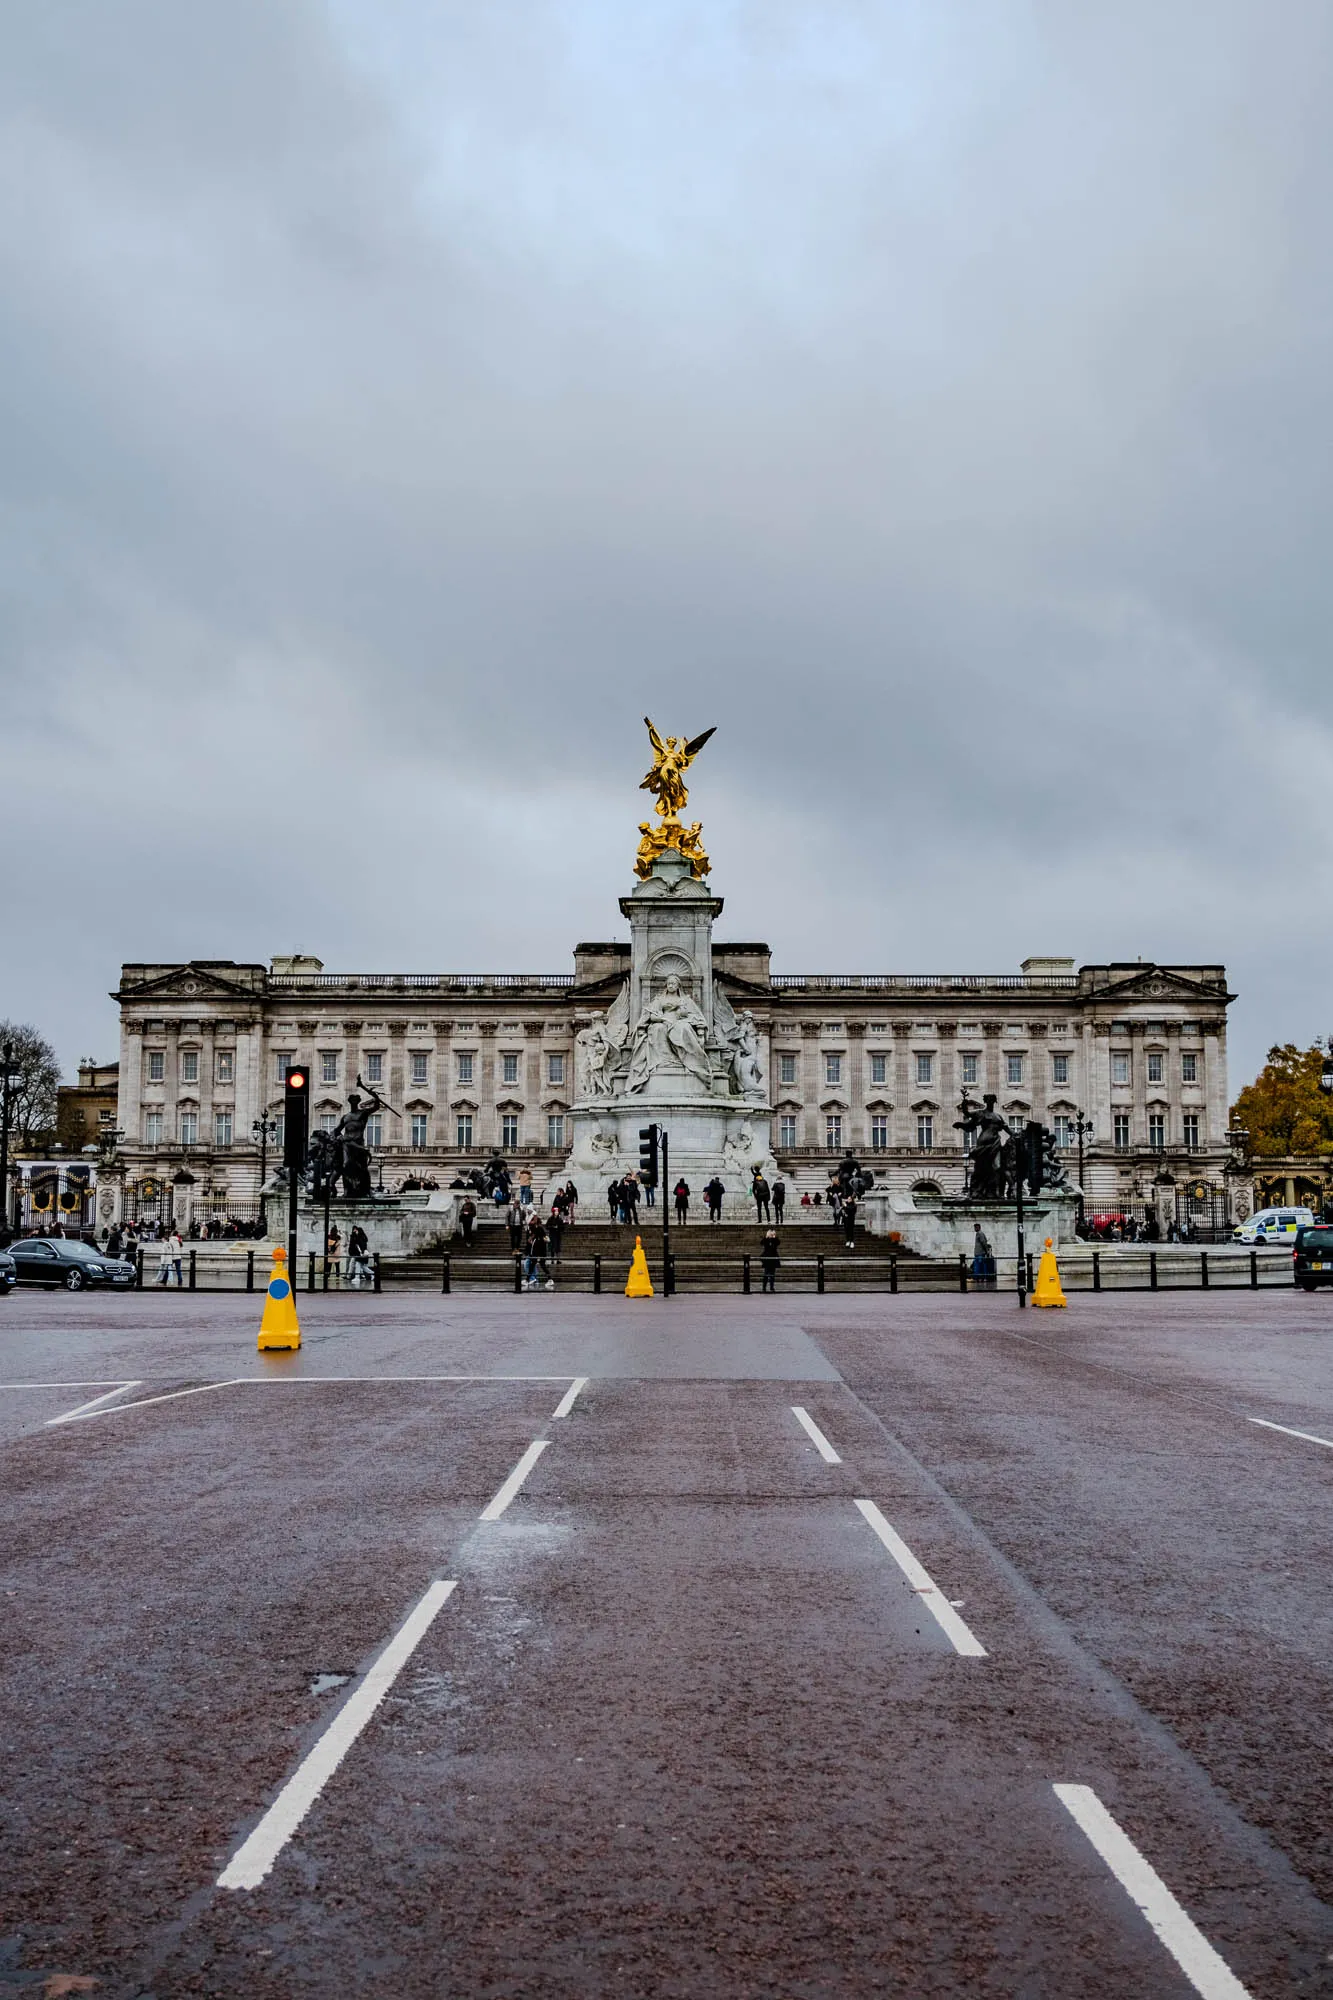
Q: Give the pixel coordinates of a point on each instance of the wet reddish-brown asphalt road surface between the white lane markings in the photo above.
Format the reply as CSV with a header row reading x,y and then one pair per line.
x,y
684,1727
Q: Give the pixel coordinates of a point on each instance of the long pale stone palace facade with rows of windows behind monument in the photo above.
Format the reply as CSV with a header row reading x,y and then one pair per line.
x,y
477,1065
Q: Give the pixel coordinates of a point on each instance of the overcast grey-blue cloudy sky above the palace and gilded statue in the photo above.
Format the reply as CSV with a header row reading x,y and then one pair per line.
x,y
401,397
